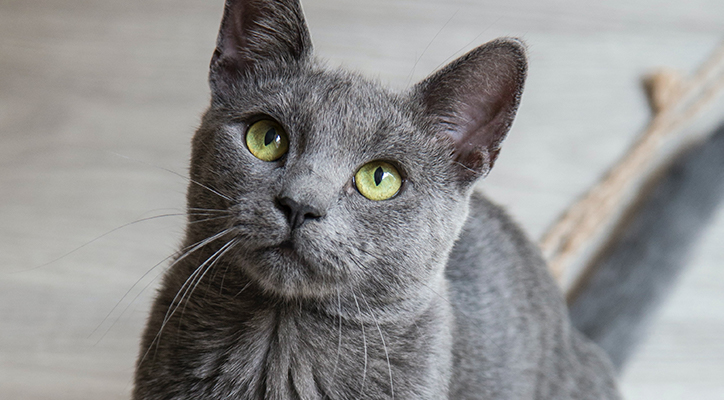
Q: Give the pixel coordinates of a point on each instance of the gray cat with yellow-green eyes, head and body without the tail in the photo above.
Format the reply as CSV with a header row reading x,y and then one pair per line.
x,y
335,246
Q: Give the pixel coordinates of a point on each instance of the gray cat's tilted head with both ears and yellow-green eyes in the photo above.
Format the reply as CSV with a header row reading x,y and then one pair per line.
x,y
332,180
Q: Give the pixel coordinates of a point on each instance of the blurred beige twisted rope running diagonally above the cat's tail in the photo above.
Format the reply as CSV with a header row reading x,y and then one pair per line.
x,y
675,102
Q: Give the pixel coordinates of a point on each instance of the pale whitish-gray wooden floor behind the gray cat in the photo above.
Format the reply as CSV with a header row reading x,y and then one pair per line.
x,y
99,99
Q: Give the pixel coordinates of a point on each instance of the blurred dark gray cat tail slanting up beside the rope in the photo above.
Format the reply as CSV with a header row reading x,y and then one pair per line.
x,y
641,265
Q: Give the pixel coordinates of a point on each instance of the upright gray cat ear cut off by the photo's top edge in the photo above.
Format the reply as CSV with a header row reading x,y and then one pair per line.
x,y
257,33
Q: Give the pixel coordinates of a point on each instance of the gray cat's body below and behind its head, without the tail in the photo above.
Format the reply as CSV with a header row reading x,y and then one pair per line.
x,y
508,336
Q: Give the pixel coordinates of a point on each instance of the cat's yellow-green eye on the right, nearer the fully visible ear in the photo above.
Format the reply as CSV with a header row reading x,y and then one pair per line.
x,y
378,180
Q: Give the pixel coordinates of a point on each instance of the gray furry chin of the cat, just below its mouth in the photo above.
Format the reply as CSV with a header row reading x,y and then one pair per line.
x,y
285,271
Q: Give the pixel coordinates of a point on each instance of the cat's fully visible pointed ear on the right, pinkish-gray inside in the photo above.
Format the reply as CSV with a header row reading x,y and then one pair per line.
x,y
473,101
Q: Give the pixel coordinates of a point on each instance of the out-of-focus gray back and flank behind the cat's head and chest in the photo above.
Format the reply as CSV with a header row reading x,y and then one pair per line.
x,y
513,339
